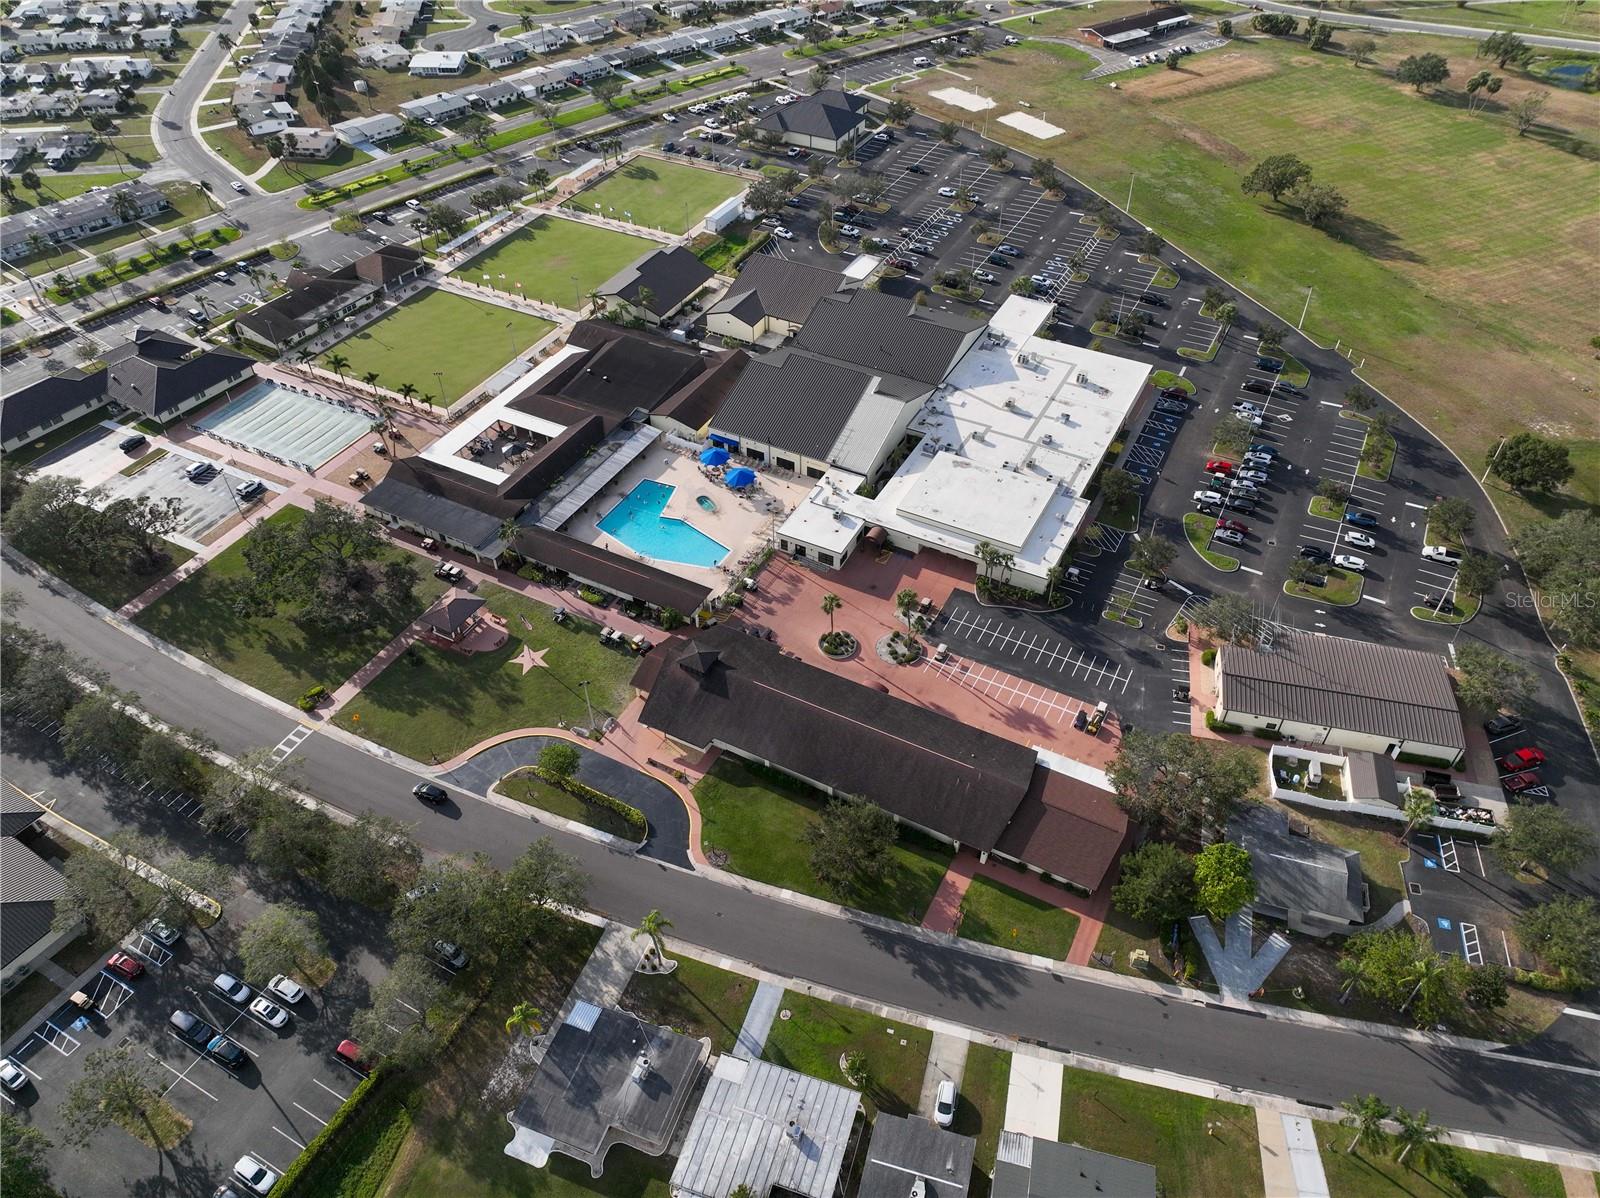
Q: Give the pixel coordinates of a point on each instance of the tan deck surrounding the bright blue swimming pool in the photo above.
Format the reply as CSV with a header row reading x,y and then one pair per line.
x,y
742,521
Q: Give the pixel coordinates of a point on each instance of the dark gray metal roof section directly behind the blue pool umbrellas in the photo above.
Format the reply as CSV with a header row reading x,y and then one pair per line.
x,y
791,401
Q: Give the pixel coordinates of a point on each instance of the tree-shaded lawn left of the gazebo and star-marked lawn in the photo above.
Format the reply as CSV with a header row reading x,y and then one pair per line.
x,y
273,653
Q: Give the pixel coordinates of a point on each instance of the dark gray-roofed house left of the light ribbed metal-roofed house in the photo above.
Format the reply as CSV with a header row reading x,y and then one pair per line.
x,y
606,1079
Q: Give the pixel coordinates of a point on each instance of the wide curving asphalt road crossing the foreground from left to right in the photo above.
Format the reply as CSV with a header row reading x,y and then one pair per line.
x,y
1505,1095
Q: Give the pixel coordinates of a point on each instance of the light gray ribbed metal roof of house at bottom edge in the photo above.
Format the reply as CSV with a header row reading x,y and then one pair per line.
x,y
762,1125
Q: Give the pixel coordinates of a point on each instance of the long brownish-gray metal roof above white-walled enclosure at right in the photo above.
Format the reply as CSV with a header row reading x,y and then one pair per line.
x,y
1358,687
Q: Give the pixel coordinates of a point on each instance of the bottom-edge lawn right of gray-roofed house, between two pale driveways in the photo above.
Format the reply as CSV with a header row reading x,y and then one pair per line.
x,y
1167,1130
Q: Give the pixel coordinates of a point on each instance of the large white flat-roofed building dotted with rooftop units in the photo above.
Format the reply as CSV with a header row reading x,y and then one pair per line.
x,y
1009,445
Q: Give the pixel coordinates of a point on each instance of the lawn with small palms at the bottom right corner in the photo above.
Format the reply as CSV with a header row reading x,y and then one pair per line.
x,y
1372,1172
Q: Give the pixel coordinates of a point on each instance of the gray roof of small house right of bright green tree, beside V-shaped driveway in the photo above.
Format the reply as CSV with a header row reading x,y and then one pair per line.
x,y
1297,874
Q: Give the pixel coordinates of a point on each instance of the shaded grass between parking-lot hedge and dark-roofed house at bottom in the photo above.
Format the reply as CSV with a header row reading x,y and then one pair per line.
x,y
444,1138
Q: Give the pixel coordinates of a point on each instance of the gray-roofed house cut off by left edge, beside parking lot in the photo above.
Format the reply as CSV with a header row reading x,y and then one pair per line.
x,y
30,890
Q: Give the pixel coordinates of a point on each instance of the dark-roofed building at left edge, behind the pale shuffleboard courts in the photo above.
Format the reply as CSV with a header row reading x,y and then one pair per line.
x,y
154,373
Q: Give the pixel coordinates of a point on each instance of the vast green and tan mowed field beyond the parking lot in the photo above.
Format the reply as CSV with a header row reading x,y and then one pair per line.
x,y
1462,274
